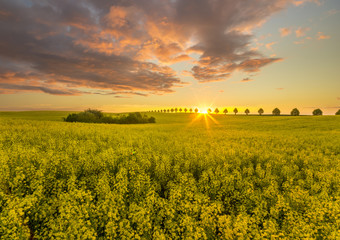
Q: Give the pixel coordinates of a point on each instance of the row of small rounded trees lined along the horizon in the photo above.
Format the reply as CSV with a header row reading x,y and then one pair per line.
x,y
275,112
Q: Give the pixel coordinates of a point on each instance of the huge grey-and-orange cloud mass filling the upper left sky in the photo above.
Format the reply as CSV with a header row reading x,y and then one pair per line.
x,y
125,46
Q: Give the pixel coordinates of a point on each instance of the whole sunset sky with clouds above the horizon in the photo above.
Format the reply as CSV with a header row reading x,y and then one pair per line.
x,y
139,55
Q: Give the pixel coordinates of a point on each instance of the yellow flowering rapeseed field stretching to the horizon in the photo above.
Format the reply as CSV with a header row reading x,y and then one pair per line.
x,y
234,177
